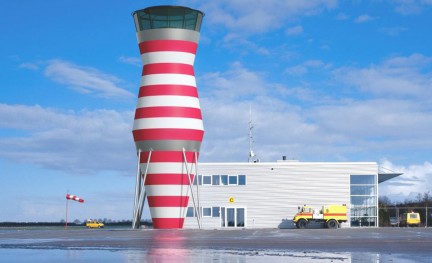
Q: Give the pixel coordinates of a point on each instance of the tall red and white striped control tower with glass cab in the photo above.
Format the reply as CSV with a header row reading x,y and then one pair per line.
x,y
168,127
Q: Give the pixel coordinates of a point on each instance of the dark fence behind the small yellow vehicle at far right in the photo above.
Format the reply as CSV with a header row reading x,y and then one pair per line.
x,y
391,215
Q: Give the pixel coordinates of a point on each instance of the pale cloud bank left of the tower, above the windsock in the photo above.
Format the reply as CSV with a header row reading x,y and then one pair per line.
x,y
80,142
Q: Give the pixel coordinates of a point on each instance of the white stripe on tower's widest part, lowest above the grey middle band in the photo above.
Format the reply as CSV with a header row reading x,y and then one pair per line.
x,y
168,123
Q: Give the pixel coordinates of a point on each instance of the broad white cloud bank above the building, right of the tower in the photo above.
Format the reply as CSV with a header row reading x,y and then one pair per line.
x,y
388,115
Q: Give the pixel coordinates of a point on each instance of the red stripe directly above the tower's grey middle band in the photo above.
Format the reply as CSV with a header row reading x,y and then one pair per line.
x,y
168,134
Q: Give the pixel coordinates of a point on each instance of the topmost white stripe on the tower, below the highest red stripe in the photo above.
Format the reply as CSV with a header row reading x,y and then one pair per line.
x,y
168,57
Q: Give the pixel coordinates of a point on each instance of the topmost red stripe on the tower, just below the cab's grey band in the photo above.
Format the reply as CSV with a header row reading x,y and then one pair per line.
x,y
168,45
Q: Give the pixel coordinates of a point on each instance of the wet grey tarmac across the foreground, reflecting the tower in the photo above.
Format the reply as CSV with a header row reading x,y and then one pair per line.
x,y
410,244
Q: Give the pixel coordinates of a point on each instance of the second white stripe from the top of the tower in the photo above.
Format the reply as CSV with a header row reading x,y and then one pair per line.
x,y
168,79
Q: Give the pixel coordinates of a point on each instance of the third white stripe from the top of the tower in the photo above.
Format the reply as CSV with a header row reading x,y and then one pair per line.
x,y
168,100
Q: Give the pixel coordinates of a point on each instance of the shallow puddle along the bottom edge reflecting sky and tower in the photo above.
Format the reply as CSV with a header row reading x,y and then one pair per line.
x,y
21,255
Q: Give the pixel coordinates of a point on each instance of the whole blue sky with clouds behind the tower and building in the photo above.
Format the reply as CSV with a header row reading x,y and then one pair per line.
x,y
326,81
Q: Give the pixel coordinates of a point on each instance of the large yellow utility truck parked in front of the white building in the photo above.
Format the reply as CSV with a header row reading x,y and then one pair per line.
x,y
330,215
